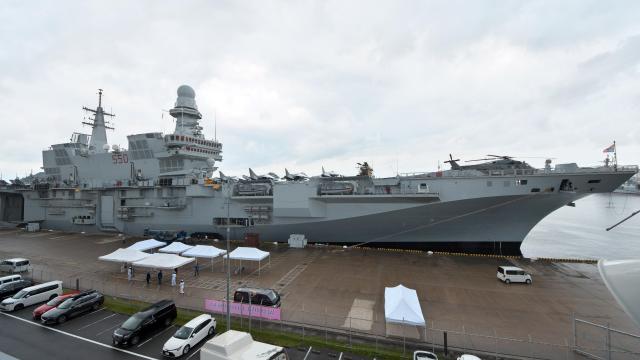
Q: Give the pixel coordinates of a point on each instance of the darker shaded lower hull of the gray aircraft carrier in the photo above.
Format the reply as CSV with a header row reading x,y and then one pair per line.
x,y
484,225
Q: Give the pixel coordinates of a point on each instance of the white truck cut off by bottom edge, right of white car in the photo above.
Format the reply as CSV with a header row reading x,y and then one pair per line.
x,y
237,345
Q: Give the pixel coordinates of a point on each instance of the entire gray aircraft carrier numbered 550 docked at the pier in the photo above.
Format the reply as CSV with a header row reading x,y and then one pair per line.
x,y
168,182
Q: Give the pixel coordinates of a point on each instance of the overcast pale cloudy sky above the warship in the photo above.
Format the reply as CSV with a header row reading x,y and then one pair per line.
x,y
301,84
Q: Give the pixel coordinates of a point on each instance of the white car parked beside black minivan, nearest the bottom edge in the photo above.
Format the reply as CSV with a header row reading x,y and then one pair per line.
x,y
189,335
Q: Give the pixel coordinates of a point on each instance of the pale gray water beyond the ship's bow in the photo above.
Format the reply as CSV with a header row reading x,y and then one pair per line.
x,y
579,232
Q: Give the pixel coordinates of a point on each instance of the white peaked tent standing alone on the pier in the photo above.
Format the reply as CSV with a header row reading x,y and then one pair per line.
x,y
401,306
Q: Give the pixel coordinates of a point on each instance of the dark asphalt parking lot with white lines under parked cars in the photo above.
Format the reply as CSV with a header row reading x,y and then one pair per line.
x,y
89,335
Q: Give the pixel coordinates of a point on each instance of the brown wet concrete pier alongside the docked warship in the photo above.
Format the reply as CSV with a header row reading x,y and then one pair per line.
x,y
343,290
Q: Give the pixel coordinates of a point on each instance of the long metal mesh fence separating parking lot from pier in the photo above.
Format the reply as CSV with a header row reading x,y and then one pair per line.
x,y
348,331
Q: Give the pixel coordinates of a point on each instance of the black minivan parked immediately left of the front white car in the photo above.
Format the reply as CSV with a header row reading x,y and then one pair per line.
x,y
144,323
